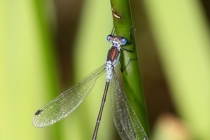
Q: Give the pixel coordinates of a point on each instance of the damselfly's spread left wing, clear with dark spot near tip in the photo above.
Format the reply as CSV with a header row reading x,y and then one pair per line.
x,y
67,101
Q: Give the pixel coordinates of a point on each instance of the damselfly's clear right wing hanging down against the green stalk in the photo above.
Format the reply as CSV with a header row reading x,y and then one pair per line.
x,y
125,119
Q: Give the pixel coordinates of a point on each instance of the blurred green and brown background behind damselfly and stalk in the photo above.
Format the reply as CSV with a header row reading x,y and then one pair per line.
x,y
48,46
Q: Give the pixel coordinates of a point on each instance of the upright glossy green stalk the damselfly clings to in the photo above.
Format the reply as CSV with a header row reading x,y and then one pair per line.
x,y
129,61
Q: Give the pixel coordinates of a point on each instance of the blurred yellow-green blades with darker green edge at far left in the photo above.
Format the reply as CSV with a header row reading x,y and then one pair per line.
x,y
27,70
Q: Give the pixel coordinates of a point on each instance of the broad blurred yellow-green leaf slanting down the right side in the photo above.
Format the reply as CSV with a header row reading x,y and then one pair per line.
x,y
182,35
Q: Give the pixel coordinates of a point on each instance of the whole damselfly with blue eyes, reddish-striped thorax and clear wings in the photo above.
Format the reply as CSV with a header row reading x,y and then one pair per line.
x,y
125,119
